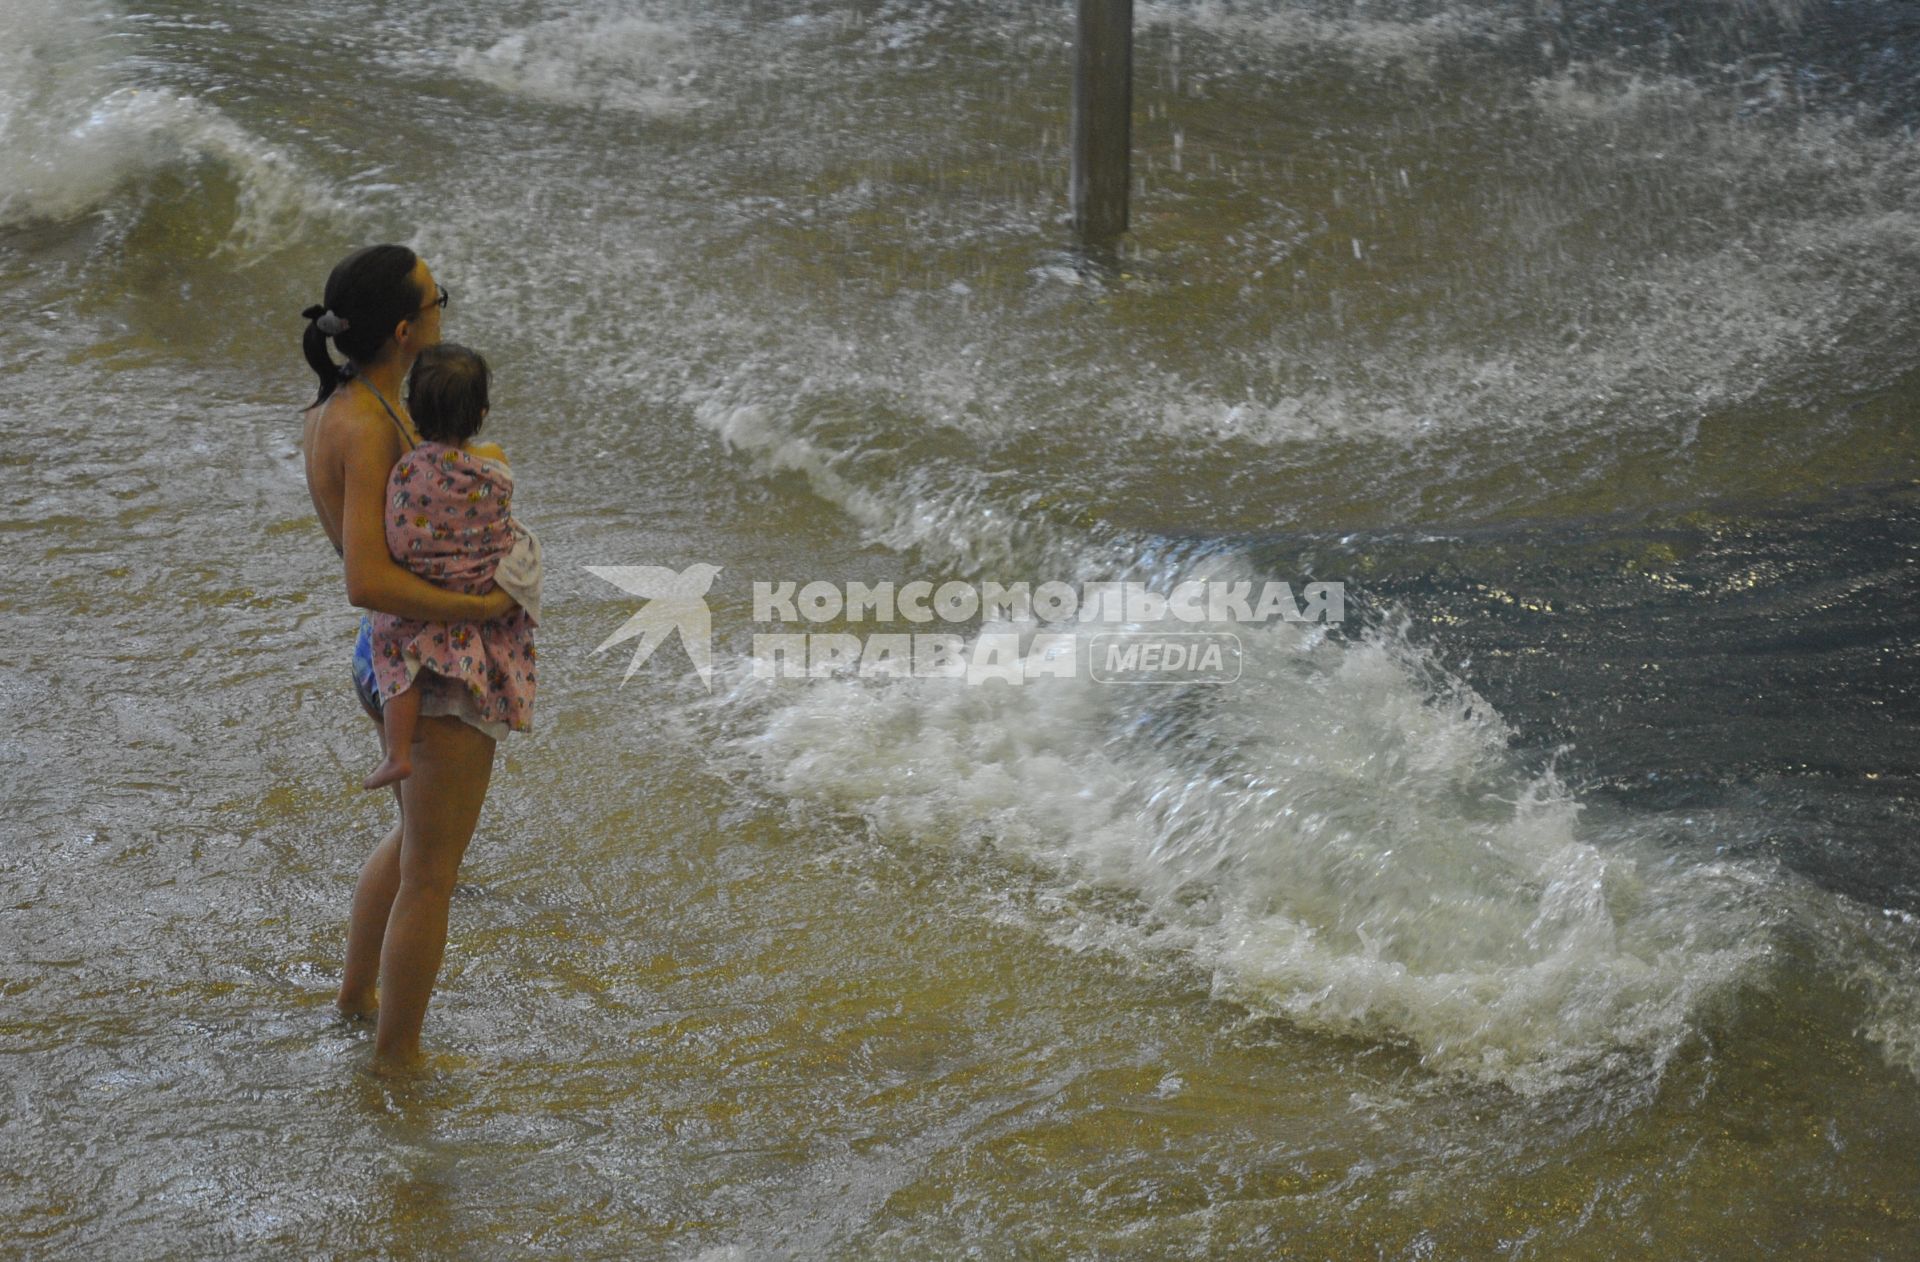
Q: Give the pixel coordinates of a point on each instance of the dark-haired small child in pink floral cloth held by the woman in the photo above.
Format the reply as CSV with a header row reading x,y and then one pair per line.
x,y
450,522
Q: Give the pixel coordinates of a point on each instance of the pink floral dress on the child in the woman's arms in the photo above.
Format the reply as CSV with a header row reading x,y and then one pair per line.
x,y
450,522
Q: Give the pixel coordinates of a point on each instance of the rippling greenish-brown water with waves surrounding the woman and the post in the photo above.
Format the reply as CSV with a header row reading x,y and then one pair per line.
x,y
1558,906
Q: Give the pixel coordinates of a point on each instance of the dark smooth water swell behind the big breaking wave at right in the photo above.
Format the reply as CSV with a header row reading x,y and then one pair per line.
x,y
1752,660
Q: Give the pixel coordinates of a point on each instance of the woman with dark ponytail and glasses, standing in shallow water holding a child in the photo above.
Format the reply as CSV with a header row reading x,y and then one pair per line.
x,y
383,308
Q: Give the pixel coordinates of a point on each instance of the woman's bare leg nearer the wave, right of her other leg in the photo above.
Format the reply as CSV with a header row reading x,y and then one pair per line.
x,y
452,765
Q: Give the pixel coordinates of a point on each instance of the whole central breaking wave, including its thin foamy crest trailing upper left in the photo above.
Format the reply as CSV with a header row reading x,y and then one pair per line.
x,y
1343,838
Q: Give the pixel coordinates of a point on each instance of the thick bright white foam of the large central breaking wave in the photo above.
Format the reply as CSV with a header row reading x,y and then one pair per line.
x,y
1333,840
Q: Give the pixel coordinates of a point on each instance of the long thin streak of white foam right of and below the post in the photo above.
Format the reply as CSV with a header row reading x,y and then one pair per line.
x,y
1673,339
